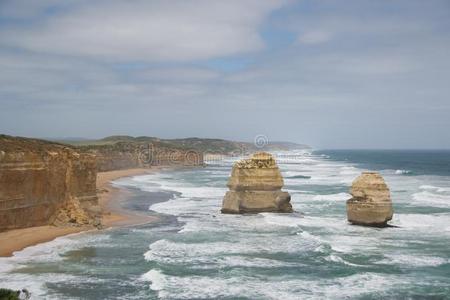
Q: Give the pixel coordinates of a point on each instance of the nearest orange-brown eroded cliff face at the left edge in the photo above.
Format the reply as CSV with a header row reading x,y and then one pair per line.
x,y
42,183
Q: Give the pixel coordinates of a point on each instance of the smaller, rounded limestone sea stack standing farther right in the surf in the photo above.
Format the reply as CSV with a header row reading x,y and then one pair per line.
x,y
371,203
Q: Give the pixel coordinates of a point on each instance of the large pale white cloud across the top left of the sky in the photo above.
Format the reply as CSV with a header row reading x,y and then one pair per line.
x,y
150,31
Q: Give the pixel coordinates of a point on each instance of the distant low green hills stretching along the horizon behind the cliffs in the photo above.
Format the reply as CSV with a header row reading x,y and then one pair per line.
x,y
204,145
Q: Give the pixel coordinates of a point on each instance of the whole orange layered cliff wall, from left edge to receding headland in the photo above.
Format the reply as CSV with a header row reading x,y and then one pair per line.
x,y
46,183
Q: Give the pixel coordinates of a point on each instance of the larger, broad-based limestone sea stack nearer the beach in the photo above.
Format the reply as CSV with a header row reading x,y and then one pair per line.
x,y
255,186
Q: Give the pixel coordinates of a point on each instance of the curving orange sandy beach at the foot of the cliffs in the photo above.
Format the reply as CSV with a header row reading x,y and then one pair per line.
x,y
109,199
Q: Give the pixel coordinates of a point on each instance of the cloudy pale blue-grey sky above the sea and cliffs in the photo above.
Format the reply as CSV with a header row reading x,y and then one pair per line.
x,y
331,74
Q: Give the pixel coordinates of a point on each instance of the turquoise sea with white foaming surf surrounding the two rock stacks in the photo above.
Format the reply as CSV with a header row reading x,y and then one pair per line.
x,y
195,252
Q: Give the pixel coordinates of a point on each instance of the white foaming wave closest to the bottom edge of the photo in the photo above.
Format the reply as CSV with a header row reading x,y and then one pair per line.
x,y
256,287
